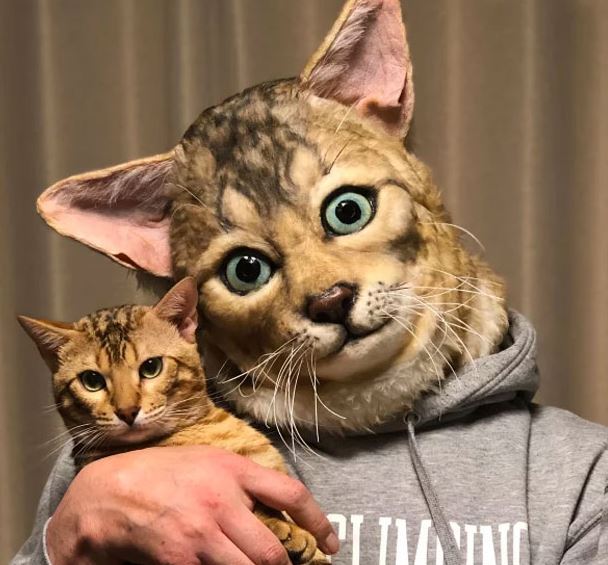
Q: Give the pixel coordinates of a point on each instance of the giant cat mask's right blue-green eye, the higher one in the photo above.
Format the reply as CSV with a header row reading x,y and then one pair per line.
x,y
348,210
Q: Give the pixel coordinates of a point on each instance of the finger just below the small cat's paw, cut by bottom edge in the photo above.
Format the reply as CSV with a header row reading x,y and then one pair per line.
x,y
254,539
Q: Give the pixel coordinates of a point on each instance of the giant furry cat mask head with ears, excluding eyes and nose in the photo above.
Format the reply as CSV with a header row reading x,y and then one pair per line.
x,y
254,172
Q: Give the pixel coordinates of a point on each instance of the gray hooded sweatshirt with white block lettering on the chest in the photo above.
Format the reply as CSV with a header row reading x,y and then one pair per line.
x,y
476,474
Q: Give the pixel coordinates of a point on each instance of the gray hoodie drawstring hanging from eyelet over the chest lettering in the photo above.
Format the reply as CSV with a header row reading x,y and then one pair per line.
x,y
452,555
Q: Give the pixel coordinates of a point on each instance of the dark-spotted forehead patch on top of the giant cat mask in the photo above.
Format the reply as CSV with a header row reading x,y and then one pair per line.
x,y
243,145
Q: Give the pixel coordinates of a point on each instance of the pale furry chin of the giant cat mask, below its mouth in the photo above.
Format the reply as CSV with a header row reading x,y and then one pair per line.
x,y
364,356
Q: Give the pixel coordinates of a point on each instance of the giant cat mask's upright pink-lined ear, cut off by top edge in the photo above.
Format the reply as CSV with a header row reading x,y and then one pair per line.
x,y
364,62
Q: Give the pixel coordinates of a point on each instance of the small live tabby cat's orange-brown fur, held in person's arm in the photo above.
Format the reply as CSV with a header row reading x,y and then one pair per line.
x,y
170,409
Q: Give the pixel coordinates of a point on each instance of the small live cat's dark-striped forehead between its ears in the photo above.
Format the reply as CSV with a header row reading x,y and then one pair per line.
x,y
111,329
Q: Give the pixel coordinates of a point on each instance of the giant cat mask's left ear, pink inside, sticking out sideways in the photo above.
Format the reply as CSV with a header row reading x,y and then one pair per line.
x,y
121,211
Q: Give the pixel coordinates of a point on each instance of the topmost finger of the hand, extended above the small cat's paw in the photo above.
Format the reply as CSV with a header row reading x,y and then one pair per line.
x,y
281,492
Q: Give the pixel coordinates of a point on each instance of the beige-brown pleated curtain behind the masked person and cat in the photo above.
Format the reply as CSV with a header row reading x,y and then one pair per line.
x,y
512,113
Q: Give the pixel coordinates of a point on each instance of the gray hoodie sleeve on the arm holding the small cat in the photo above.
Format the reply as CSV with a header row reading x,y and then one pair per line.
x,y
33,551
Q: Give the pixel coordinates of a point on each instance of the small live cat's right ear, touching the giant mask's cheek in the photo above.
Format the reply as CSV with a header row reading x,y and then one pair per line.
x,y
178,306
